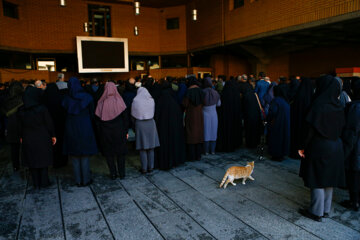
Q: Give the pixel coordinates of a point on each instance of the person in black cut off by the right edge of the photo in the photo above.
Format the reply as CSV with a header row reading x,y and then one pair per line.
x,y
351,139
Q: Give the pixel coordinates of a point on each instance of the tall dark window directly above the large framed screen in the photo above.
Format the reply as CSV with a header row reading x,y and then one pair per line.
x,y
99,20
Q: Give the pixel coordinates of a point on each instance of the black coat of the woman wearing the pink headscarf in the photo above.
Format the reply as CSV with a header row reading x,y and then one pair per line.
x,y
112,134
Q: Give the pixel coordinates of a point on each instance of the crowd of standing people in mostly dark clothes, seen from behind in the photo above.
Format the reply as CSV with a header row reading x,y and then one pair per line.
x,y
178,120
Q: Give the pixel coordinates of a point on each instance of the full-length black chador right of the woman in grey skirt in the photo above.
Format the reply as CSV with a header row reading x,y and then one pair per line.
x,y
169,121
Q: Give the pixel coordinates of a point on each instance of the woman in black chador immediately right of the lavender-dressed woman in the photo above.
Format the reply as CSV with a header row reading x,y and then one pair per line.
x,y
230,118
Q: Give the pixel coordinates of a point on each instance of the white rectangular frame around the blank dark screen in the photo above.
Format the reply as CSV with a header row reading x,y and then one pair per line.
x,y
101,39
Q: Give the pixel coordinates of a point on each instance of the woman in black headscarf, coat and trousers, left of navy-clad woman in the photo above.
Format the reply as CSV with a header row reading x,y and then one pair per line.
x,y
37,137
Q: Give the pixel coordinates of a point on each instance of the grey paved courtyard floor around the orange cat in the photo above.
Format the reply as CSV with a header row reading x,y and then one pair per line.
x,y
184,203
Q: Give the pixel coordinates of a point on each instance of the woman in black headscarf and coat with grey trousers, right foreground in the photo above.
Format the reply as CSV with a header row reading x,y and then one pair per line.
x,y
322,166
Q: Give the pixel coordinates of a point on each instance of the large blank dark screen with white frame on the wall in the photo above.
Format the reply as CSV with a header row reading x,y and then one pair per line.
x,y
102,54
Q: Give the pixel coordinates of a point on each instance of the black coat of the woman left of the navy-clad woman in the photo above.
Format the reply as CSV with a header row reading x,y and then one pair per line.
x,y
36,131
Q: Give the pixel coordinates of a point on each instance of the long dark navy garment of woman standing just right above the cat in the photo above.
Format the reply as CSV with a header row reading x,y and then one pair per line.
x,y
279,128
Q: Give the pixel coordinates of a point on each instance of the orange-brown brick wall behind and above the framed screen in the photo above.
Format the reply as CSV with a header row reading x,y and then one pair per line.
x,y
44,25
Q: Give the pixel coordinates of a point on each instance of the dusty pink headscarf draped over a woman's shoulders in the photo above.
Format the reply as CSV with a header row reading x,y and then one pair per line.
x,y
111,104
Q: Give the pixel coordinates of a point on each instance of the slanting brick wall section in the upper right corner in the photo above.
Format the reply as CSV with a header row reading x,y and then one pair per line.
x,y
268,15
